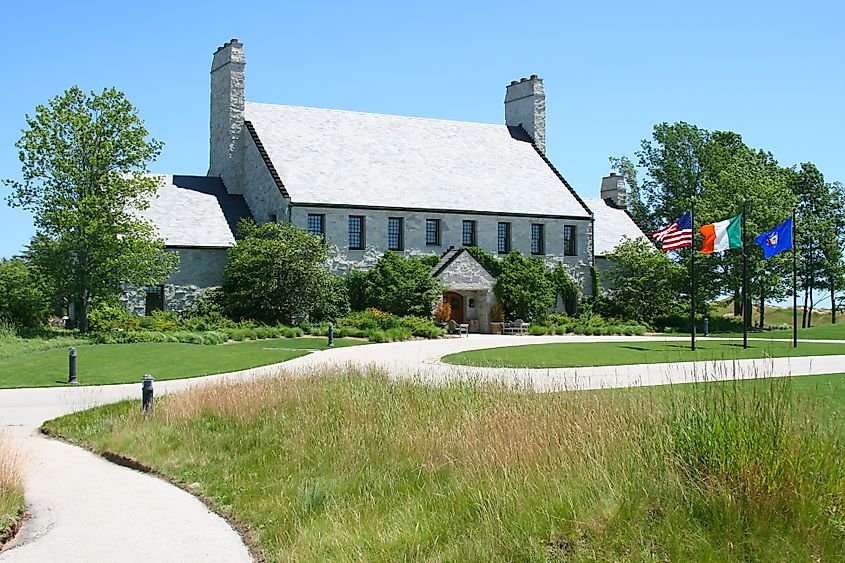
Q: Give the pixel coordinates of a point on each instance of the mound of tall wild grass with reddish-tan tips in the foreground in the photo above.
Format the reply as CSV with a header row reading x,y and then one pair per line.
x,y
350,466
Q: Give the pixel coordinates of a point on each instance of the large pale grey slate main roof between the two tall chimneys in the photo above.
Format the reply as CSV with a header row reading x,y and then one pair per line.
x,y
336,157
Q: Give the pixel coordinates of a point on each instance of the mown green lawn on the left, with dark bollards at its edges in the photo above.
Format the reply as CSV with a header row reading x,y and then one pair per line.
x,y
99,364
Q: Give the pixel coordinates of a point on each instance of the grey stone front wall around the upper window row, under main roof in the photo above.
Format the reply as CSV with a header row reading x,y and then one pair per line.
x,y
343,259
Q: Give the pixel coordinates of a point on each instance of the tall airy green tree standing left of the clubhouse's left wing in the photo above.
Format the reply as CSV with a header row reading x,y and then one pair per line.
x,y
84,163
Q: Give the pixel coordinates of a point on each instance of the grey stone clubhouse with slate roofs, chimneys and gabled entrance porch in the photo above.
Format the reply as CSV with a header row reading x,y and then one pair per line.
x,y
371,182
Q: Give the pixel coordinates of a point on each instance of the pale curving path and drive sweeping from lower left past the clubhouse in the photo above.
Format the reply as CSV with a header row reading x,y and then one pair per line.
x,y
86,509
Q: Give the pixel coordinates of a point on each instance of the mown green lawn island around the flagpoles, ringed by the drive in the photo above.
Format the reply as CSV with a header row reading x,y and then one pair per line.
x,y
577,354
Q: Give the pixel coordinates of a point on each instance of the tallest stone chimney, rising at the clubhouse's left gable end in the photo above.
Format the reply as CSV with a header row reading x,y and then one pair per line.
x,y
227,114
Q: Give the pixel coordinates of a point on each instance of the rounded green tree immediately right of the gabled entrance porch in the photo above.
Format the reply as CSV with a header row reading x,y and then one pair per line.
x,y
524,287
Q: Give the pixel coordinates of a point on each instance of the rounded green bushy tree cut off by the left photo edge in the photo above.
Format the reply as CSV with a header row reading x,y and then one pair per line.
x,y
24,298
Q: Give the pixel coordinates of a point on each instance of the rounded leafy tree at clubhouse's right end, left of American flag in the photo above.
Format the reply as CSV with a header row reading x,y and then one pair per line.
x,y
645,283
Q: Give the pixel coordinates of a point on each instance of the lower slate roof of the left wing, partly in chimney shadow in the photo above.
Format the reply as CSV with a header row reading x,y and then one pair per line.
x,y
195,211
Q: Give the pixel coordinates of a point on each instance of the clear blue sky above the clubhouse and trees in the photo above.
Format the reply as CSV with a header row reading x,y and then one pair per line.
x,y
771,71
